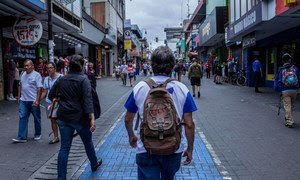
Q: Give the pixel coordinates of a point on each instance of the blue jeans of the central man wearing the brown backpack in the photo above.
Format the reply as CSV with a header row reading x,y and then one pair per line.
x,y
157,167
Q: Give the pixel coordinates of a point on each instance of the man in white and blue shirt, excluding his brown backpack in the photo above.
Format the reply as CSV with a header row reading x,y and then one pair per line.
x,y
153,166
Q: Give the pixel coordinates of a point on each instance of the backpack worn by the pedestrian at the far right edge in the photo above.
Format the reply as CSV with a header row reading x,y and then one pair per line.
x,y
289,78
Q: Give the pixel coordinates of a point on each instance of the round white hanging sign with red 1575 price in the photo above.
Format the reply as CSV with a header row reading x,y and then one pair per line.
x,y
27,30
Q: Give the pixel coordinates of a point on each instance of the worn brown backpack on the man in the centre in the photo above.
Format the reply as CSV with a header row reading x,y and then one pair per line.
x,y
161,128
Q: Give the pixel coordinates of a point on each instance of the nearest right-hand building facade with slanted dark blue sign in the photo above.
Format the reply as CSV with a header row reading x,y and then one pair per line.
x,y
265,30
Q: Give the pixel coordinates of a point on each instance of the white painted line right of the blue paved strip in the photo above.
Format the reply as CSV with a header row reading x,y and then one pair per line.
x,y
224,173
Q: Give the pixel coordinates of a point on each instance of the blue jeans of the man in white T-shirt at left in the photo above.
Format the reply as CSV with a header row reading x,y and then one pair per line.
x,y
26,107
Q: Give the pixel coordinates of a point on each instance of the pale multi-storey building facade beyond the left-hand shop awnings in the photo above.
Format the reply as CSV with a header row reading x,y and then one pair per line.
x,y
110,14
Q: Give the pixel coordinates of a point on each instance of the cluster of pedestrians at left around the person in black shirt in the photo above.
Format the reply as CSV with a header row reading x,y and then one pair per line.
x,y
73,86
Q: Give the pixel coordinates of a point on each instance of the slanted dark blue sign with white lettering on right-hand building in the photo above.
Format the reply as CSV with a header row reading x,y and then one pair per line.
x,y
247,21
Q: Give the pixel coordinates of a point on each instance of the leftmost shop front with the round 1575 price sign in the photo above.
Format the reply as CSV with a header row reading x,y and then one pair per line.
x,y
22,40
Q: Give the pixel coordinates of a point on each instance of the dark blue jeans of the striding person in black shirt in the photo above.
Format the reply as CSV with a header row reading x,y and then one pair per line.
x,y
66,133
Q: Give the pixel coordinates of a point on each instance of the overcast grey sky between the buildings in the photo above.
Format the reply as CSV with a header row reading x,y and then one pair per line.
x,y
155,15
